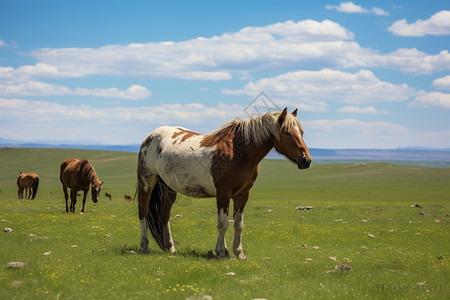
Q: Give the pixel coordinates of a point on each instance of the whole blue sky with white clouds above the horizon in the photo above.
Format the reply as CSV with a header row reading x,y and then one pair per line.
x,y
364,74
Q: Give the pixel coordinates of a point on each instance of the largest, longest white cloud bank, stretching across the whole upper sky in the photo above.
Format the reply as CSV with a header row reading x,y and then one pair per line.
x,y
306,45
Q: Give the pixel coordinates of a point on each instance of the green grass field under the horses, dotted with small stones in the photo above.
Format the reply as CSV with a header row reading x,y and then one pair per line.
x,y
361,240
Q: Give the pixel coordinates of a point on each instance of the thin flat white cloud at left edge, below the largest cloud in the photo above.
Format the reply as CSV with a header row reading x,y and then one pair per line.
x,y
39,88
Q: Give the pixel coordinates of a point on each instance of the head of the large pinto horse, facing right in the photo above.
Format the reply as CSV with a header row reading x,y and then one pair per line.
x,y
290,142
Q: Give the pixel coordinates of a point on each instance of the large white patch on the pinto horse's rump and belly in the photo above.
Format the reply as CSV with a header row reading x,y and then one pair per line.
x,y
181,162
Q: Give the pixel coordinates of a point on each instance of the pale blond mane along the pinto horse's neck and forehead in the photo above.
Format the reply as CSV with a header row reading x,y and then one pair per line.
x,y
258,129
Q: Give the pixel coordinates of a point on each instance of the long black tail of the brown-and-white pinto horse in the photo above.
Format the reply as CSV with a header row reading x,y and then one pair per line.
x,y
160,205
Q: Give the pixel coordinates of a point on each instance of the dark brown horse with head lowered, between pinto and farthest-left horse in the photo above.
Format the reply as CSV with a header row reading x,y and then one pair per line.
x,y
79,175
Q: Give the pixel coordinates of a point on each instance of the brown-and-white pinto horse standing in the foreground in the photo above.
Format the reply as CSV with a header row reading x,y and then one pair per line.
x,y
223,164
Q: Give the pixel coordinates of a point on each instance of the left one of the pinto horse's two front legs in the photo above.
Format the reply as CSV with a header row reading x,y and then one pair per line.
x,y
223,202
